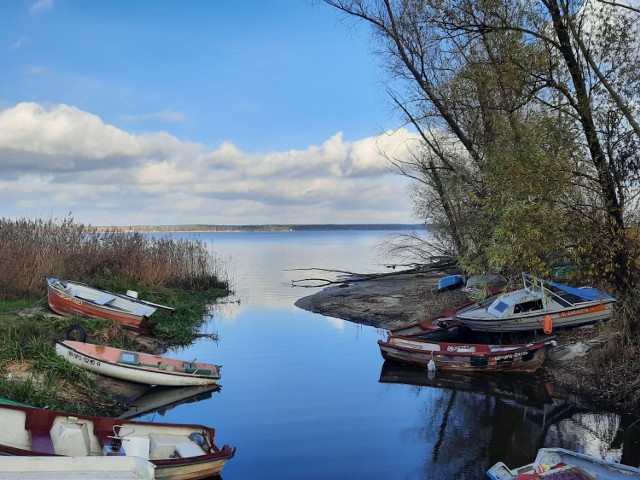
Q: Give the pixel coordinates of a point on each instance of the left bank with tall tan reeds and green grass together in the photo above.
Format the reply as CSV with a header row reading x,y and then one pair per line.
x,y
182,274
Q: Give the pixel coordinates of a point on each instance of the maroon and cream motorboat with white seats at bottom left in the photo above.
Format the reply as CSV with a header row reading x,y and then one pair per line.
x,y
178,451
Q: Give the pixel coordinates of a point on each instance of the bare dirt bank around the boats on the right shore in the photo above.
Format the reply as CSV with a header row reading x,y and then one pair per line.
x,y
391,301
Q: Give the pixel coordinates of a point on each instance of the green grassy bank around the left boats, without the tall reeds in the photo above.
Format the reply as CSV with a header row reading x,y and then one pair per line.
x,y
32,372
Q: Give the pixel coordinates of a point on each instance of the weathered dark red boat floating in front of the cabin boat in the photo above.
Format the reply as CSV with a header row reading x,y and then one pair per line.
x,y
457,357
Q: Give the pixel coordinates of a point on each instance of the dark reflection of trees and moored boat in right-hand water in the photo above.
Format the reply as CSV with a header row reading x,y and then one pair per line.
x,y
473,421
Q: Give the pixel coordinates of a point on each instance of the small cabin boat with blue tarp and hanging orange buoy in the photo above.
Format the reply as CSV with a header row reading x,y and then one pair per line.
x,y
540,305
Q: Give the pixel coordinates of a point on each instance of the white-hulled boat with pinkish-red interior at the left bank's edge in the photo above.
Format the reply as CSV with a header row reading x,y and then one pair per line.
x,y
137,366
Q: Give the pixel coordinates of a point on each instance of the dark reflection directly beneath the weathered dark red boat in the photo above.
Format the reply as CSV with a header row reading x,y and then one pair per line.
x,y
524,390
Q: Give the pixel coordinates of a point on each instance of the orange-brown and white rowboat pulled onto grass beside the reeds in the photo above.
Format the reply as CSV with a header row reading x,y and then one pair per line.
x,y
72,298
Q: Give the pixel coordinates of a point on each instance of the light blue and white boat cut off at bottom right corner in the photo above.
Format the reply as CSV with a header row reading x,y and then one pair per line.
x,y
561,463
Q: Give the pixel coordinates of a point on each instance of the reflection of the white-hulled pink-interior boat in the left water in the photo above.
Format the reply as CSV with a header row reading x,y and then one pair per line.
x,y
160,399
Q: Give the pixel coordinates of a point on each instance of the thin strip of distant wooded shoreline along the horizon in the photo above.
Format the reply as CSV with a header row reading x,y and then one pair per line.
x,y
188,228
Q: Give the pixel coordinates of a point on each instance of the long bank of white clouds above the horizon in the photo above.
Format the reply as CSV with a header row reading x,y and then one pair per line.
x,y
61,159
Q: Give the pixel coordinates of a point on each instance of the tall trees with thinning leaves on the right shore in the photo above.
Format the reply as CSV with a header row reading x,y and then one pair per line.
x,y
529,134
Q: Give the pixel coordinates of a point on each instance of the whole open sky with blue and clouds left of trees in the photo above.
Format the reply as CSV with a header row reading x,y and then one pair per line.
x,y
162,112
